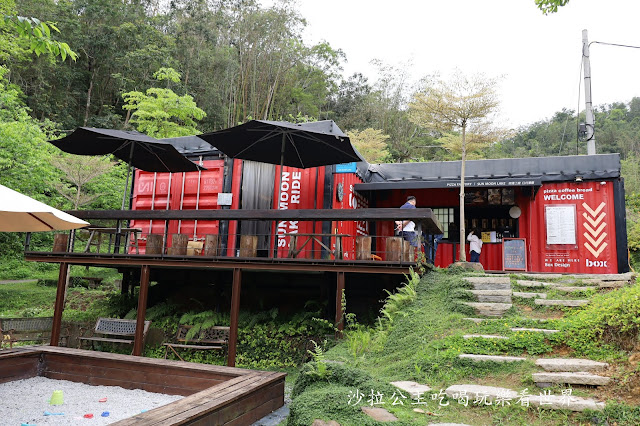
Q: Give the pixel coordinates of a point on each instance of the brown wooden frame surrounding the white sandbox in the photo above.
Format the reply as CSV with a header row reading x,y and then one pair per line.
x,y
213,395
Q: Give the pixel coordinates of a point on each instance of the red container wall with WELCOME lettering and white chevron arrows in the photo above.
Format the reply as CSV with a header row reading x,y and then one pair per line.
x,y
595,248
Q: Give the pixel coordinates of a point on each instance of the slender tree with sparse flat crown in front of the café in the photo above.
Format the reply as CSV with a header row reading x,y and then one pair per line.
x,y
463,104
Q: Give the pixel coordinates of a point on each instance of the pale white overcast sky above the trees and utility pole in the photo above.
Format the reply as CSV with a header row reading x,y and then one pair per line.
x,y
537,56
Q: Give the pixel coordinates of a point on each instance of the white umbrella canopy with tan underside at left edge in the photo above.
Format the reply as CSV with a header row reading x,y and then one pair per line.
x,y
19,213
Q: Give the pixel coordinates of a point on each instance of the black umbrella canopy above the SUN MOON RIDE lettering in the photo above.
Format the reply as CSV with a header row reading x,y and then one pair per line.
x,y
301,145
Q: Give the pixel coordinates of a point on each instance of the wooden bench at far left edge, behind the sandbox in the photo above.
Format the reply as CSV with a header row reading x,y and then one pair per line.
x,y
14,330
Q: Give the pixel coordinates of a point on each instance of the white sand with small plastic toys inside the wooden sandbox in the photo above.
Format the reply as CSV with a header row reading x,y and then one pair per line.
x,y
25,402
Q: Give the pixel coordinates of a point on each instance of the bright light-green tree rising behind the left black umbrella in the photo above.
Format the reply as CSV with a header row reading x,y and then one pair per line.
x,y
162,113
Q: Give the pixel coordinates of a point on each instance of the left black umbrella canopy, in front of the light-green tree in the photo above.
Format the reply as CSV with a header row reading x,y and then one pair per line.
x,y
138,150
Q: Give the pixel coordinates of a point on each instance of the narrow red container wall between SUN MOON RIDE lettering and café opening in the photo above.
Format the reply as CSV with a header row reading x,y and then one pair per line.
x,y
349,200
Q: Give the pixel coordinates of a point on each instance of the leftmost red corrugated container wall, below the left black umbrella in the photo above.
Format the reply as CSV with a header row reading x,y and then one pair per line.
x,y
182,191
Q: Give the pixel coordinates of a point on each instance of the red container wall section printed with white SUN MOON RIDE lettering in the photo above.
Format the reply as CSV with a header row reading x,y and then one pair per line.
x,y
299,189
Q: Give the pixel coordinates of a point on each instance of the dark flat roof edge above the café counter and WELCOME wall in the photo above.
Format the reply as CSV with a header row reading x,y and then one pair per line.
x,y
543,169
